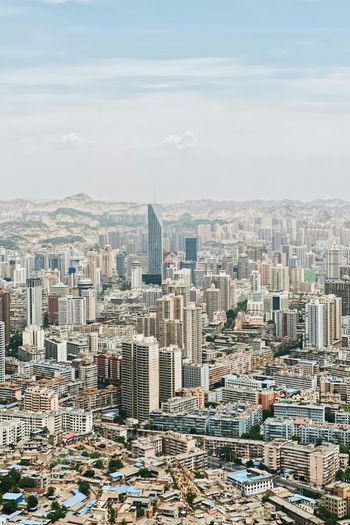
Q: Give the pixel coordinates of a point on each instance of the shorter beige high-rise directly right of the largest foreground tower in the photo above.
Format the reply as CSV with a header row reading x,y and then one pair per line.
x,y
170,372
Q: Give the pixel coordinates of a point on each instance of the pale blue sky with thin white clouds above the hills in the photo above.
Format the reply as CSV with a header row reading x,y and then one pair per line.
x,y
191,99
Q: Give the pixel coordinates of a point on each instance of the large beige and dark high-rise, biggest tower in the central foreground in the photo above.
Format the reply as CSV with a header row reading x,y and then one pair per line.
x,y
140,377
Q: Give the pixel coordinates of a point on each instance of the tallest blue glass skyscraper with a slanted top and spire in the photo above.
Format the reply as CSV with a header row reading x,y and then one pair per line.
x,y
155,243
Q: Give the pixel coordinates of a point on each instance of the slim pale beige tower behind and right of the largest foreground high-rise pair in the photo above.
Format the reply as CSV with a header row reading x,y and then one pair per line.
x,y
192,333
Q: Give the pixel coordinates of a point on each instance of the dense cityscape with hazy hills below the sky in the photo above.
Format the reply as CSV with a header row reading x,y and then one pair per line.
x,y
175,364
